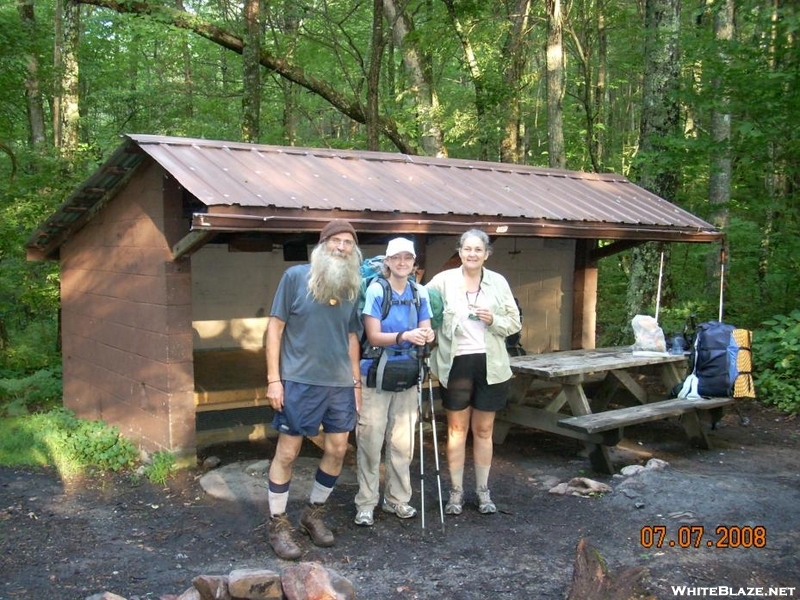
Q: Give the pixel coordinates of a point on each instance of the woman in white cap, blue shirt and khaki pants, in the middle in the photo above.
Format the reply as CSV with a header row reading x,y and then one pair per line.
x,y
390,415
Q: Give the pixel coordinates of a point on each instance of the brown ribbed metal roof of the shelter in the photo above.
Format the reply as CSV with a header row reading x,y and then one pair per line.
x,y
250,187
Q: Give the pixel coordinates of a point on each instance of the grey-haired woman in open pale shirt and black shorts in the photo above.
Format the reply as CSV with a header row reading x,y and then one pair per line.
x,y
471,362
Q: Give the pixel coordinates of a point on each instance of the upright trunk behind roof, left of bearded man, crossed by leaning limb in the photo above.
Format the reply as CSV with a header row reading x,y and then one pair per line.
x,y
251,72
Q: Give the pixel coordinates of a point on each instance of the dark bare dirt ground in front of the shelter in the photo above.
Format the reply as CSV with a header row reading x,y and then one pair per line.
x,y
70,540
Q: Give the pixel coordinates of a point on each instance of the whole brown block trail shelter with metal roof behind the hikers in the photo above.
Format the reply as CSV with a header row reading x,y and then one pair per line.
x,y
171,251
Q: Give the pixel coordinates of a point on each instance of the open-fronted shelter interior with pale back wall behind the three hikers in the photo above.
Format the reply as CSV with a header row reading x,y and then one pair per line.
x,y
235,277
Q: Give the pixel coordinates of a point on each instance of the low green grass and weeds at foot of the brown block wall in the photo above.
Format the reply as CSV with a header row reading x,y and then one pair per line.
x,y
59,438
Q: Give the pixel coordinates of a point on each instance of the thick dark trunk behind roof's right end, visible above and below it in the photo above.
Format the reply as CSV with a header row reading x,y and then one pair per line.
x,y
660,120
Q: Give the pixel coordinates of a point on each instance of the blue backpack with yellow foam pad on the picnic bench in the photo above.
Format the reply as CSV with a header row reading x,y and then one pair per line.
x,y
721,361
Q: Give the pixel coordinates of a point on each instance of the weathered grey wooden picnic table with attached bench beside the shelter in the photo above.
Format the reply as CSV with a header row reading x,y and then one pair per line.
x,y
567,410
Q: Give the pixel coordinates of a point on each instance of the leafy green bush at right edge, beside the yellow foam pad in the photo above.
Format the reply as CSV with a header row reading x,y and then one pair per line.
x,y
776,361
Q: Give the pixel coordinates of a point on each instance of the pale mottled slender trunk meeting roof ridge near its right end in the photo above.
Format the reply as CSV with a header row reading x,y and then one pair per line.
x,y
555,85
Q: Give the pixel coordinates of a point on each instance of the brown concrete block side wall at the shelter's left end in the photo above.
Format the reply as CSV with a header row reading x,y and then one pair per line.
x,y
126,318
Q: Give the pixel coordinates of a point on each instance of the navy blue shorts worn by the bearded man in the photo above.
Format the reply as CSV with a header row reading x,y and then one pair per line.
x,y
307,406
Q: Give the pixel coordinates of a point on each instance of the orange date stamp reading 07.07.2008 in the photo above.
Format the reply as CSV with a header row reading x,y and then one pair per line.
x,y
696,536
